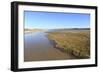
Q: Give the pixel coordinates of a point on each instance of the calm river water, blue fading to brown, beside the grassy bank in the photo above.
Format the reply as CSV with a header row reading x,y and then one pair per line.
x,y
37,47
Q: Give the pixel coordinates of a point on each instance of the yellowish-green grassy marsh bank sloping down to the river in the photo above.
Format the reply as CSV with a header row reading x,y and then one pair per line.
x,y
74,42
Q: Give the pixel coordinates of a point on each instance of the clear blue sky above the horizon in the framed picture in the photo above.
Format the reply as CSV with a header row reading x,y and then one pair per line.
x,y
52,20
